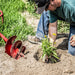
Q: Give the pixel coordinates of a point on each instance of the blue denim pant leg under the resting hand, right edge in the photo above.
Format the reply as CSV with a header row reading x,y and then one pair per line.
x,y
71,49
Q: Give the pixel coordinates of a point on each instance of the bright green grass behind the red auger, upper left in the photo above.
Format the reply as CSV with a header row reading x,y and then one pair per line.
x,y
14,23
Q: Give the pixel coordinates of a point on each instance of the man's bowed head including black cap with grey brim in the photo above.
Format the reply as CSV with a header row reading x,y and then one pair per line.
x,y
46,5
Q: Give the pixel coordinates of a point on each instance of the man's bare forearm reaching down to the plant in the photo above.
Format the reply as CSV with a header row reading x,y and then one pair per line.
x,y
53,31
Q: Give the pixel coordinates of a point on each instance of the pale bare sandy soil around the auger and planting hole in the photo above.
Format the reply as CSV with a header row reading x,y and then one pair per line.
x,y
30,66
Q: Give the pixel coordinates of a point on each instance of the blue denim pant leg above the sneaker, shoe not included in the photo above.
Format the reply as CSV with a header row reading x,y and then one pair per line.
x,y
43,24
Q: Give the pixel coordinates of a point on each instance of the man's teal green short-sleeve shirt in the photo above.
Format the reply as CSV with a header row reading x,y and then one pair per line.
x,y
65,12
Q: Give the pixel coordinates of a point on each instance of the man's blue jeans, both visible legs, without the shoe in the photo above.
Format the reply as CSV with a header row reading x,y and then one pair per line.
x,y
42,30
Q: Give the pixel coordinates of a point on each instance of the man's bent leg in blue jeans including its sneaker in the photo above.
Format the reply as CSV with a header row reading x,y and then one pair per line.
x,y
42,28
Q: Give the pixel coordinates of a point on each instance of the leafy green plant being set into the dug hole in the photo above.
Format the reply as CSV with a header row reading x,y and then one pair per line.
x,y
49,50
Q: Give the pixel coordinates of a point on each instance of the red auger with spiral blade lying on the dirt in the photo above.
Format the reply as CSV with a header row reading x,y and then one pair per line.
x,y
15,50
